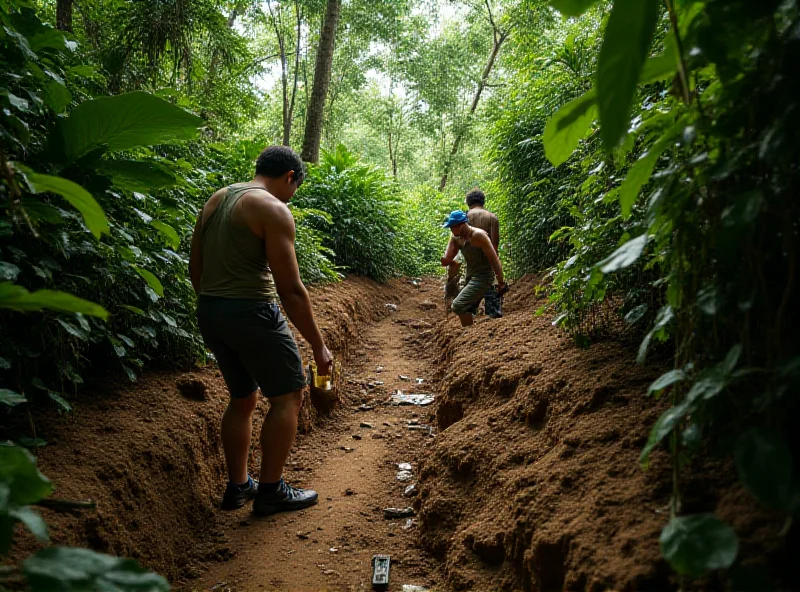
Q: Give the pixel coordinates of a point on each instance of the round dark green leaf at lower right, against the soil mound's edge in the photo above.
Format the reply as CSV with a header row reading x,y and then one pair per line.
x,y
694,545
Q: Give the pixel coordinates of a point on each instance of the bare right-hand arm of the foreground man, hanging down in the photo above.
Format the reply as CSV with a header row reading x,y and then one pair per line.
x,y
279,233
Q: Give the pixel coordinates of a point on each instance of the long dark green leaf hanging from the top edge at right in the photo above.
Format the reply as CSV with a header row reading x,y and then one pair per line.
x,y
626,44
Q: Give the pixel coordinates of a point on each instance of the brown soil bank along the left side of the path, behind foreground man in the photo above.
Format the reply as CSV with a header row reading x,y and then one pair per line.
x,y
149,453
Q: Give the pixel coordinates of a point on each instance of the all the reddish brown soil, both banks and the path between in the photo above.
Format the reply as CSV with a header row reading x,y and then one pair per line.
x,y
532,482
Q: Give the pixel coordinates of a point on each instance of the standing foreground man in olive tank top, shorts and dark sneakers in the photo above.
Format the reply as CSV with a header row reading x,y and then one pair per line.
x,y
242,263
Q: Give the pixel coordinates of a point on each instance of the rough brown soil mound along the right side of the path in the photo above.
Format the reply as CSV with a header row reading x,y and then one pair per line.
x,y
534,482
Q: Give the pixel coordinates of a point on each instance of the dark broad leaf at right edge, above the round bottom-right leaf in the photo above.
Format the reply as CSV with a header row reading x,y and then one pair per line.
x,y
764,463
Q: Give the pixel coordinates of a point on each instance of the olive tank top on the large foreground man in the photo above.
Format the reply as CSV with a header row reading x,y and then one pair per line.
x,y
234,259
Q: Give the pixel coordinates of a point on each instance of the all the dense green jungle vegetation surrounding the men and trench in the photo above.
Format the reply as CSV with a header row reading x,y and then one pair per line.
x,y
642,155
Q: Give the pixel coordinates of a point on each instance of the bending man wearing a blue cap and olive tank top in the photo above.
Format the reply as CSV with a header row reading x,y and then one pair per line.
x,y
483,264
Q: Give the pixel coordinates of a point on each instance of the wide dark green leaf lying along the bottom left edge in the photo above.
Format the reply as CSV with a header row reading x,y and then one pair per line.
x,y
61,569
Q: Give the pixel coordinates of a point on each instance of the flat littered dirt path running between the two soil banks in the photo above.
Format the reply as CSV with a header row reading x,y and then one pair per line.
x,y
354,469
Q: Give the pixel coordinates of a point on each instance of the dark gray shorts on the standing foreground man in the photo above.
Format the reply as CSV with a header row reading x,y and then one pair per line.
x,y
253,345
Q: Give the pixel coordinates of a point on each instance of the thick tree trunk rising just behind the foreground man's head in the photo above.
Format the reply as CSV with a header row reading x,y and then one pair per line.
x,y
322,78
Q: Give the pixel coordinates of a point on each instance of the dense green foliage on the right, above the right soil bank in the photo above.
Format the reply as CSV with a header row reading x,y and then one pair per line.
x,y
681,220
